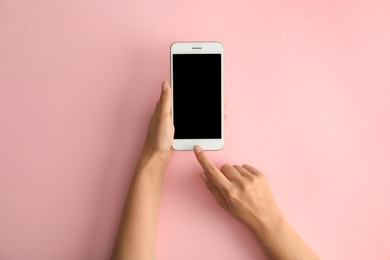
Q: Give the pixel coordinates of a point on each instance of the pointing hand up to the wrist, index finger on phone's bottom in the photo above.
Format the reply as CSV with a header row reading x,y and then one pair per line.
x,y
243,191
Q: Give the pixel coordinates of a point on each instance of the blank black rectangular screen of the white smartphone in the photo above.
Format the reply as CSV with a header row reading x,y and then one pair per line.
x,y
197,96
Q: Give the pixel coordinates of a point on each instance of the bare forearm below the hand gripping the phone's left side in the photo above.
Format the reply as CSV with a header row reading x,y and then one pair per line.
x,y
137,233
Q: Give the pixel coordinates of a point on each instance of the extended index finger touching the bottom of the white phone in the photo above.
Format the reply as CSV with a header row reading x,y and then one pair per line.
x,y
211,171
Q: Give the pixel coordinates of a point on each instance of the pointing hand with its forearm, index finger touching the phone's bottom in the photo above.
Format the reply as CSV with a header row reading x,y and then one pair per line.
x,y
244,192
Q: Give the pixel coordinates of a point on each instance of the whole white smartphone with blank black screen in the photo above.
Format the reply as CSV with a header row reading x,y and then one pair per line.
x,y
197,85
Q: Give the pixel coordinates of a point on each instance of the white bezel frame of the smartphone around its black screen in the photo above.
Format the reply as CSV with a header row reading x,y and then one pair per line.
x,y
199,48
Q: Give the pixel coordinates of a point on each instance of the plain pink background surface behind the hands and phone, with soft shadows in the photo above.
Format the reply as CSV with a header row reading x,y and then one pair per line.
x,y
307,87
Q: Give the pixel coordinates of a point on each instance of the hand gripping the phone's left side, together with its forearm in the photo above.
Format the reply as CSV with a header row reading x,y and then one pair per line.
x,y
136,238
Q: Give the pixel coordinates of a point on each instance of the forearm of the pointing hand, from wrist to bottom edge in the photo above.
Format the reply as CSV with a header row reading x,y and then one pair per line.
x,y
281,241
